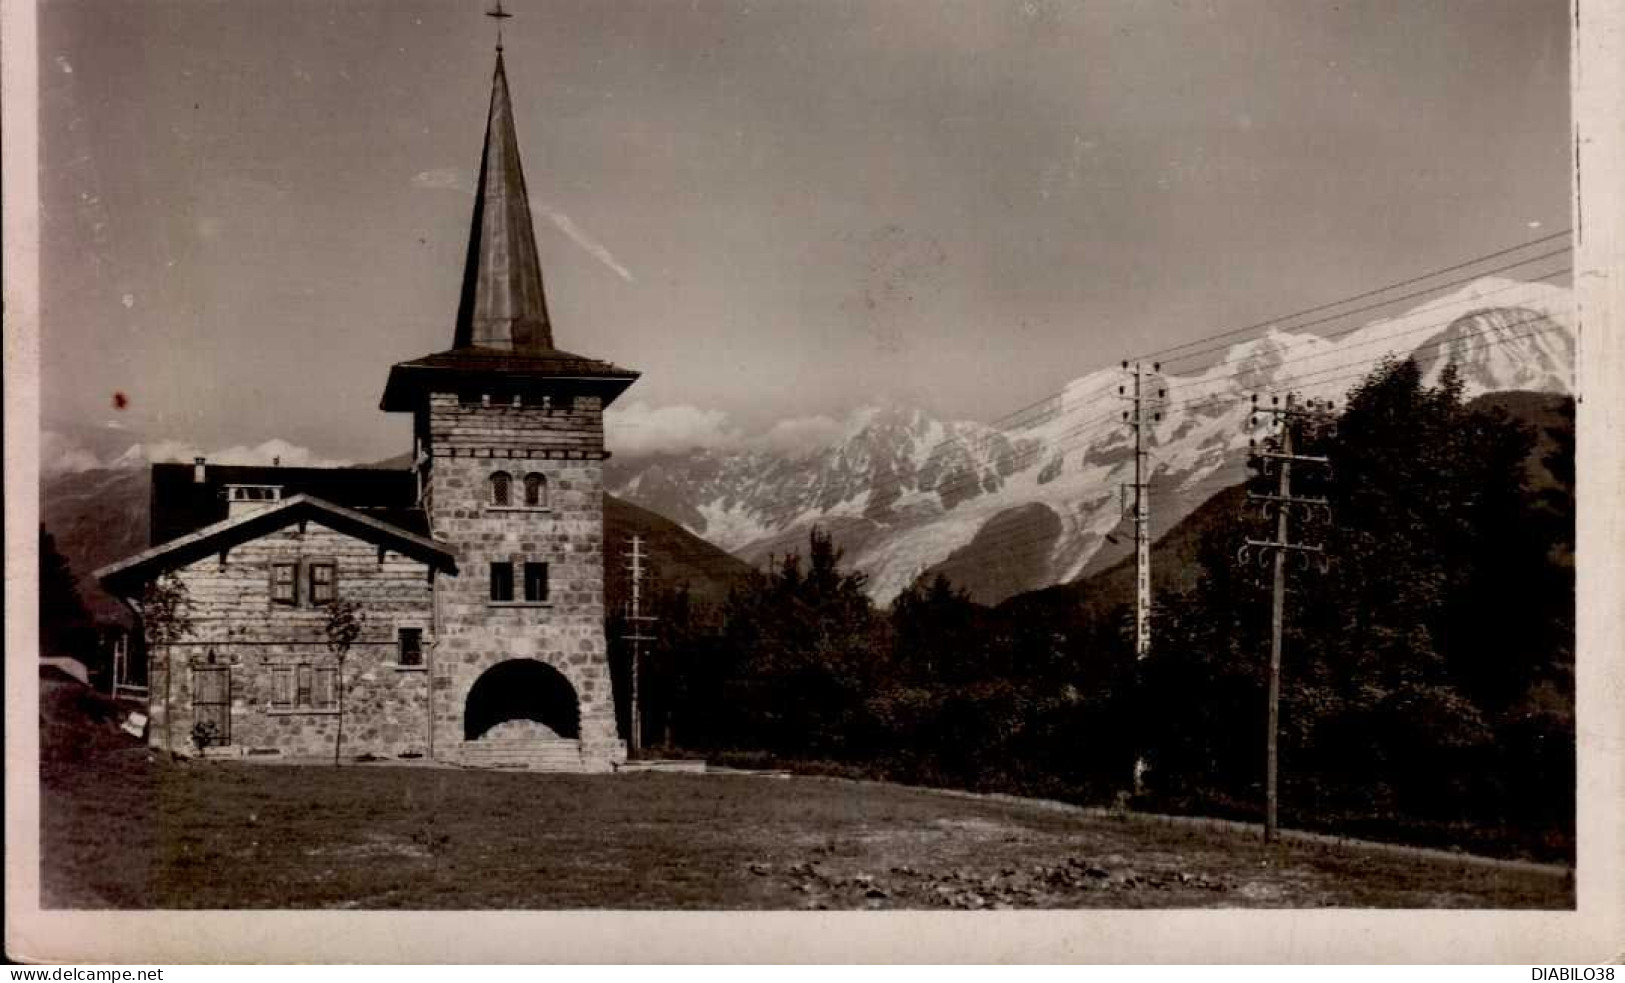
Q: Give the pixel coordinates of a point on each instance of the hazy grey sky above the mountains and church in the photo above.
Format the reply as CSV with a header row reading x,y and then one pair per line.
x,y
776,210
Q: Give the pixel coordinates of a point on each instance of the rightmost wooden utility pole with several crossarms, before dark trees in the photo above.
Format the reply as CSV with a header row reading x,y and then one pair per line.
x,y
1283,454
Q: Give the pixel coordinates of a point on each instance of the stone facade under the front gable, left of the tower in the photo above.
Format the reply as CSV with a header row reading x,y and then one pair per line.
x,y
238,626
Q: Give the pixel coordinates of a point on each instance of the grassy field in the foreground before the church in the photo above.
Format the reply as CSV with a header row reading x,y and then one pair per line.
x,y
126,829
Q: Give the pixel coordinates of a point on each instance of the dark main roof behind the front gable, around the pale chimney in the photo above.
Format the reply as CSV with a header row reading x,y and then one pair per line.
x,y
184,506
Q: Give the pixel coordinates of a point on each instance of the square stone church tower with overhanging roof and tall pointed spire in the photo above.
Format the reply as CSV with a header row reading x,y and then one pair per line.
x,y
508,436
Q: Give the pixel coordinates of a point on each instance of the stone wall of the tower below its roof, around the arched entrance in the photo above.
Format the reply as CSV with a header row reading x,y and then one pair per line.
x,y
563,441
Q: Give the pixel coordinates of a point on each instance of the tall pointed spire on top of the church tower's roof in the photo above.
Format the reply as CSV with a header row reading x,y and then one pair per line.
x,y
503,305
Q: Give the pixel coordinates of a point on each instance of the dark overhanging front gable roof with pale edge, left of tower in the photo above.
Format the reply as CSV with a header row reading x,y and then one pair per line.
x,y
222,535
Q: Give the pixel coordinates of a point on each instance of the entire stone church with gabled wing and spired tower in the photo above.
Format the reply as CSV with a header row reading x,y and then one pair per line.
x,y
479,574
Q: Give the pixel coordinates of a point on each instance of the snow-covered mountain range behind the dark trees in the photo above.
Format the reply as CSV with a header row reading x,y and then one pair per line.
x,y
1038,500
